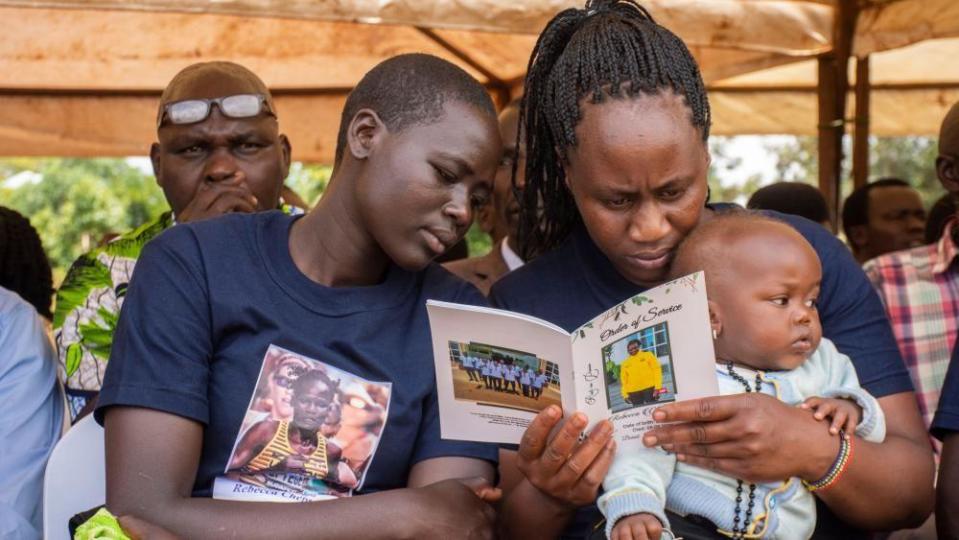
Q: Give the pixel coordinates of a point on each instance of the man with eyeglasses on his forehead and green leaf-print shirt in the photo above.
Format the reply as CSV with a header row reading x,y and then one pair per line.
x,y
218,150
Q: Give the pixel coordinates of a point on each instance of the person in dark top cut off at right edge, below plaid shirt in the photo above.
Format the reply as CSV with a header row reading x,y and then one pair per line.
x,y
945,427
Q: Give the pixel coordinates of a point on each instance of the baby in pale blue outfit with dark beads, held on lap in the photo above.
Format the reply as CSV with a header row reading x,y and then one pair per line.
x,y
762,281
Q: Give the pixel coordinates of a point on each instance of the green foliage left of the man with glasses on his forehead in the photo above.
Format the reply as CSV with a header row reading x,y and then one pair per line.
x,y
74,203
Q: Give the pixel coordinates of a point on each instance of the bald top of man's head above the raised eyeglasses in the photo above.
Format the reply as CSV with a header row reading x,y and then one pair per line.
x,y
208,80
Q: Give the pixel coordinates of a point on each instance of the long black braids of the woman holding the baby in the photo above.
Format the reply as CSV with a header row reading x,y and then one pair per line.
x,y
611,48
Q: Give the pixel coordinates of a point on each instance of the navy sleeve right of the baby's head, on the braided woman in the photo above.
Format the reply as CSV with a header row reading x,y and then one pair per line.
x,y
853,316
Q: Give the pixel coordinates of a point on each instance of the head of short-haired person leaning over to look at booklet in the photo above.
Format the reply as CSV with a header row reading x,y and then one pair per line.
x,y
417,151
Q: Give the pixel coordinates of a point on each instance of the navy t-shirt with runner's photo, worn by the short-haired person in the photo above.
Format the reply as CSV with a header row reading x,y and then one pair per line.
x,y
210,302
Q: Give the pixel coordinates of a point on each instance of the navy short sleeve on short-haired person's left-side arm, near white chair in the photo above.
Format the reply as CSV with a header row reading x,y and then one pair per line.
x,y
163,342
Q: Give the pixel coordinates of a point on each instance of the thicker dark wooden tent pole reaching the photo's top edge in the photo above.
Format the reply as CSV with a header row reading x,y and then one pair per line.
x,y
833,87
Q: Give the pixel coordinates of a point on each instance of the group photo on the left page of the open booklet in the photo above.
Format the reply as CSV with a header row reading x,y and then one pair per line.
x,y
497,376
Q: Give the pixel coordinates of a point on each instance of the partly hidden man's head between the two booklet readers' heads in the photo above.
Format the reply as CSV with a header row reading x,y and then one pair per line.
x,y
500,216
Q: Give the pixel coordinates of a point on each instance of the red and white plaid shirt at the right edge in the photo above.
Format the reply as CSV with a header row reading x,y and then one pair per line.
x,y
920,289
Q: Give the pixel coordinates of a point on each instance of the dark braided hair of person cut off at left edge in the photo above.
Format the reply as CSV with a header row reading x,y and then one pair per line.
x,y
24,268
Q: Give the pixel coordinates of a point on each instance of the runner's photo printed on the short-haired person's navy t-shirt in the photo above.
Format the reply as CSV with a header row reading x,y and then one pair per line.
x,y
310,432
